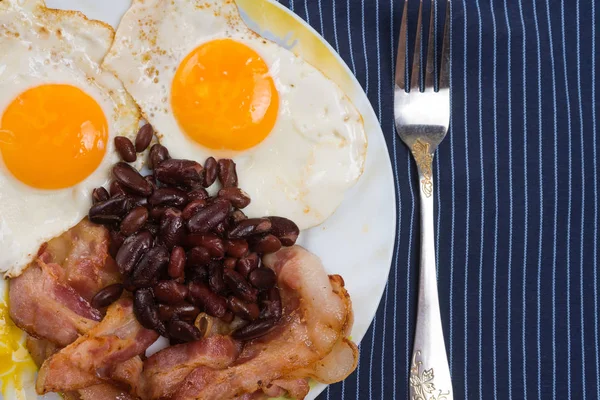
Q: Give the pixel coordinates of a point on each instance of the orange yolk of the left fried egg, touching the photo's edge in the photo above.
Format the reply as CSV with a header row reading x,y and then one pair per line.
x,y
53,136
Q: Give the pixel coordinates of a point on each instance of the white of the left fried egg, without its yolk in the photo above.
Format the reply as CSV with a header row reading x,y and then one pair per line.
x,y
43,46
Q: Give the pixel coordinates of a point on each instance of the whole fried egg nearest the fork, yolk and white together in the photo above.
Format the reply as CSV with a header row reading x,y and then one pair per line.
x,y
212,87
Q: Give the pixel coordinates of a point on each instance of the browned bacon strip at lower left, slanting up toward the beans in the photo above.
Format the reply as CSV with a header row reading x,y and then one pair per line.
x,y
92,358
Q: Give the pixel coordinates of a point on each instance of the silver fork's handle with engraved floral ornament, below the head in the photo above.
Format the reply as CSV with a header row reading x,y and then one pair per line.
x,y
429,372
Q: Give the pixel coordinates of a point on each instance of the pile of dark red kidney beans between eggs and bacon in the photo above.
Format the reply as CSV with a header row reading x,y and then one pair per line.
x,y
183,252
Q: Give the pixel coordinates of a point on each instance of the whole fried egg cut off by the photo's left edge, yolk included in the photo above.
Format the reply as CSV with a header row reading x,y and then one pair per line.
x,y
59,114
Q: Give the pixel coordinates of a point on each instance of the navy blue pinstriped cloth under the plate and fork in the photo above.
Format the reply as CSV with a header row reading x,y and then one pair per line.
x,y
517,195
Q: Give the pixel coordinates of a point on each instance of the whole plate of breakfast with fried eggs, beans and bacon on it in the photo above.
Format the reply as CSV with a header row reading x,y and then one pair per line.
x,y
196,202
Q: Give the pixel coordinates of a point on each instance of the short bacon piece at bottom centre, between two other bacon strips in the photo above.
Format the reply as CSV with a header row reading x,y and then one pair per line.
x,y
167,369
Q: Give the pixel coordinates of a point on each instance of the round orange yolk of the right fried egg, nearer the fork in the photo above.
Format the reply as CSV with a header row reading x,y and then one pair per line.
x,y
223,96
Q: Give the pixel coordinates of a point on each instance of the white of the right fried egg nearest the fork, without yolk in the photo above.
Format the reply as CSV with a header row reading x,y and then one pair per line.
x,y
317,148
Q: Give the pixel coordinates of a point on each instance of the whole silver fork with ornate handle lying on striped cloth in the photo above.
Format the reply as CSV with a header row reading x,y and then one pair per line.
x,y
422,120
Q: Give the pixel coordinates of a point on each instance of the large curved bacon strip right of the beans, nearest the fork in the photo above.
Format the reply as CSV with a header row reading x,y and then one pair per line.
x,y
316,316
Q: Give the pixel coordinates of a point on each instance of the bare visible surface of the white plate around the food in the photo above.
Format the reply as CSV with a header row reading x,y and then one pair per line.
x,y
357,241
